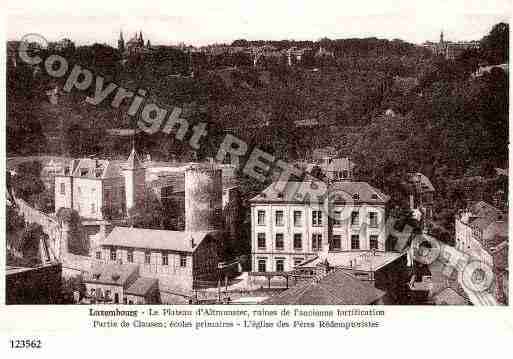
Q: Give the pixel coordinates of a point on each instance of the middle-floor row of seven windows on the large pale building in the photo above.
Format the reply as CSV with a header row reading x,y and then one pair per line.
x,y
336,243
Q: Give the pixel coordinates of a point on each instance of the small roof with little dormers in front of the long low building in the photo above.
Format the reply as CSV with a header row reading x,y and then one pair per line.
x,y
111,273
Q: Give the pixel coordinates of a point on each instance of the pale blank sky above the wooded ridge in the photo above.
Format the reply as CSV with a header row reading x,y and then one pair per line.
x,y
205,22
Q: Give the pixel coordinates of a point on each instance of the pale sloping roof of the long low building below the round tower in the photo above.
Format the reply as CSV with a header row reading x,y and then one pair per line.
x,y
155,239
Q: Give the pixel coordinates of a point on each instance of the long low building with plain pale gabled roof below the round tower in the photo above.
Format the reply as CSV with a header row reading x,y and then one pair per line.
x,y
179,260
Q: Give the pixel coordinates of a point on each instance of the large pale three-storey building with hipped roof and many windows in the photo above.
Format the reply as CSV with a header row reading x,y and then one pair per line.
x,y
289,227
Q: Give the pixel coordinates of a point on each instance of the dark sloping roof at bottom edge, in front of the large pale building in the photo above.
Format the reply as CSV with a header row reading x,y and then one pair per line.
x,y
335,288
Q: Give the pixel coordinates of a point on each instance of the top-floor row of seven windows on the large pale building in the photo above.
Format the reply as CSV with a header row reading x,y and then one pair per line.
x,y
317,218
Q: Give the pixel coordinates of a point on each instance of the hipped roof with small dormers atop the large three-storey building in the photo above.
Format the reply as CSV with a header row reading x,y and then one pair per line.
x,y
299,192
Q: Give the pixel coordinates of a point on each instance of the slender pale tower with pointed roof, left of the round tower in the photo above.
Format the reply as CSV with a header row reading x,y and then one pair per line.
x,y
135,177
